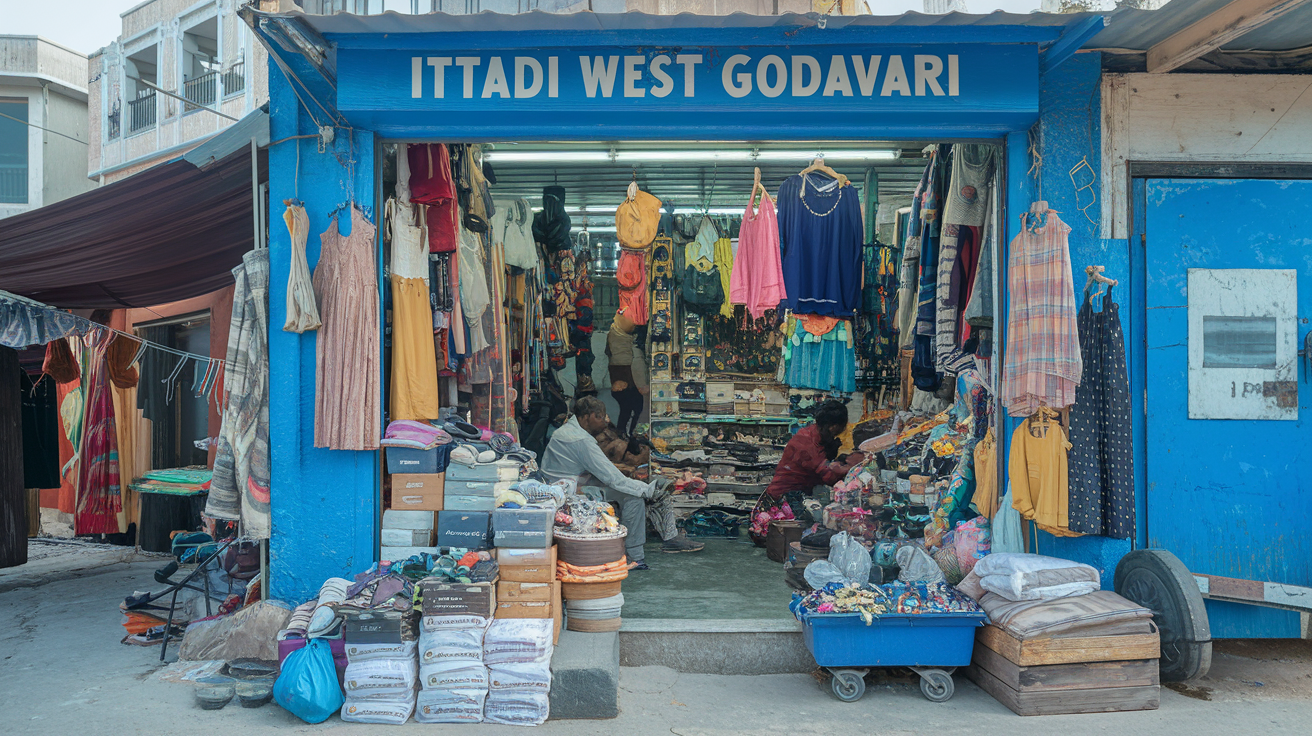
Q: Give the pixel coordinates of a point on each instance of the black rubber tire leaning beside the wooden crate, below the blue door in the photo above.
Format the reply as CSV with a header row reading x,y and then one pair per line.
x,y
1159,582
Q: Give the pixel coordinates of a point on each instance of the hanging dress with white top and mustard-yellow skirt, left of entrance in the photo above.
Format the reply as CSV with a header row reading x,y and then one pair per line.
x,y
414,385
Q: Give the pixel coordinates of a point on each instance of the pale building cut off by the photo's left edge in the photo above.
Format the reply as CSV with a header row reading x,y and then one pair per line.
x,y
44,133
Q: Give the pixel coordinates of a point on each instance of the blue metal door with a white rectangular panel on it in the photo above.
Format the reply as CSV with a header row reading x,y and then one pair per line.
x,y
1227,293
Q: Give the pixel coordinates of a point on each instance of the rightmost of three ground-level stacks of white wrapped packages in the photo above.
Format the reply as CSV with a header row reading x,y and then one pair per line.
x,y
518,653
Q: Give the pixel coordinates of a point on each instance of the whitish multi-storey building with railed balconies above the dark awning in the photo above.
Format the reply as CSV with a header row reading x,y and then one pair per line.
x,y
154,92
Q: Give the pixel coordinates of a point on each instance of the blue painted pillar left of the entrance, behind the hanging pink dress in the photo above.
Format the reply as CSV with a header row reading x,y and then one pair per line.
x,y
325,503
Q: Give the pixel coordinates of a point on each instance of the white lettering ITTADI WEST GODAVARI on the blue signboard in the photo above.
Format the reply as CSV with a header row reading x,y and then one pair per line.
x,y
911,75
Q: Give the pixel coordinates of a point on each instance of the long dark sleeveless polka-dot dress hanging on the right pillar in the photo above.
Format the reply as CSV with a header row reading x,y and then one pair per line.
x,y
1103,468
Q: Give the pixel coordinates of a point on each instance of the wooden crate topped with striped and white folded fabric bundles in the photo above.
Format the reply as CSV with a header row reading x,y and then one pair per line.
x,y
1057,644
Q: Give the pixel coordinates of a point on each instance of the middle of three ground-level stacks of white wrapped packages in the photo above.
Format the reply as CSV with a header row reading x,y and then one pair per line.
x,y
452,672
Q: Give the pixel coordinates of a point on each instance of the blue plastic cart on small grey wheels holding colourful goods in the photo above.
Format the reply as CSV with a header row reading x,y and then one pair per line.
x,y
931,645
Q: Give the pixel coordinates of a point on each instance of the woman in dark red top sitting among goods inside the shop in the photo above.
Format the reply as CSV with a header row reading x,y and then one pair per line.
x,y
810,460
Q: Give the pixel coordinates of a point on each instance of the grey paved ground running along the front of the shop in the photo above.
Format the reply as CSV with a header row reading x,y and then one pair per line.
x,y
64,672
